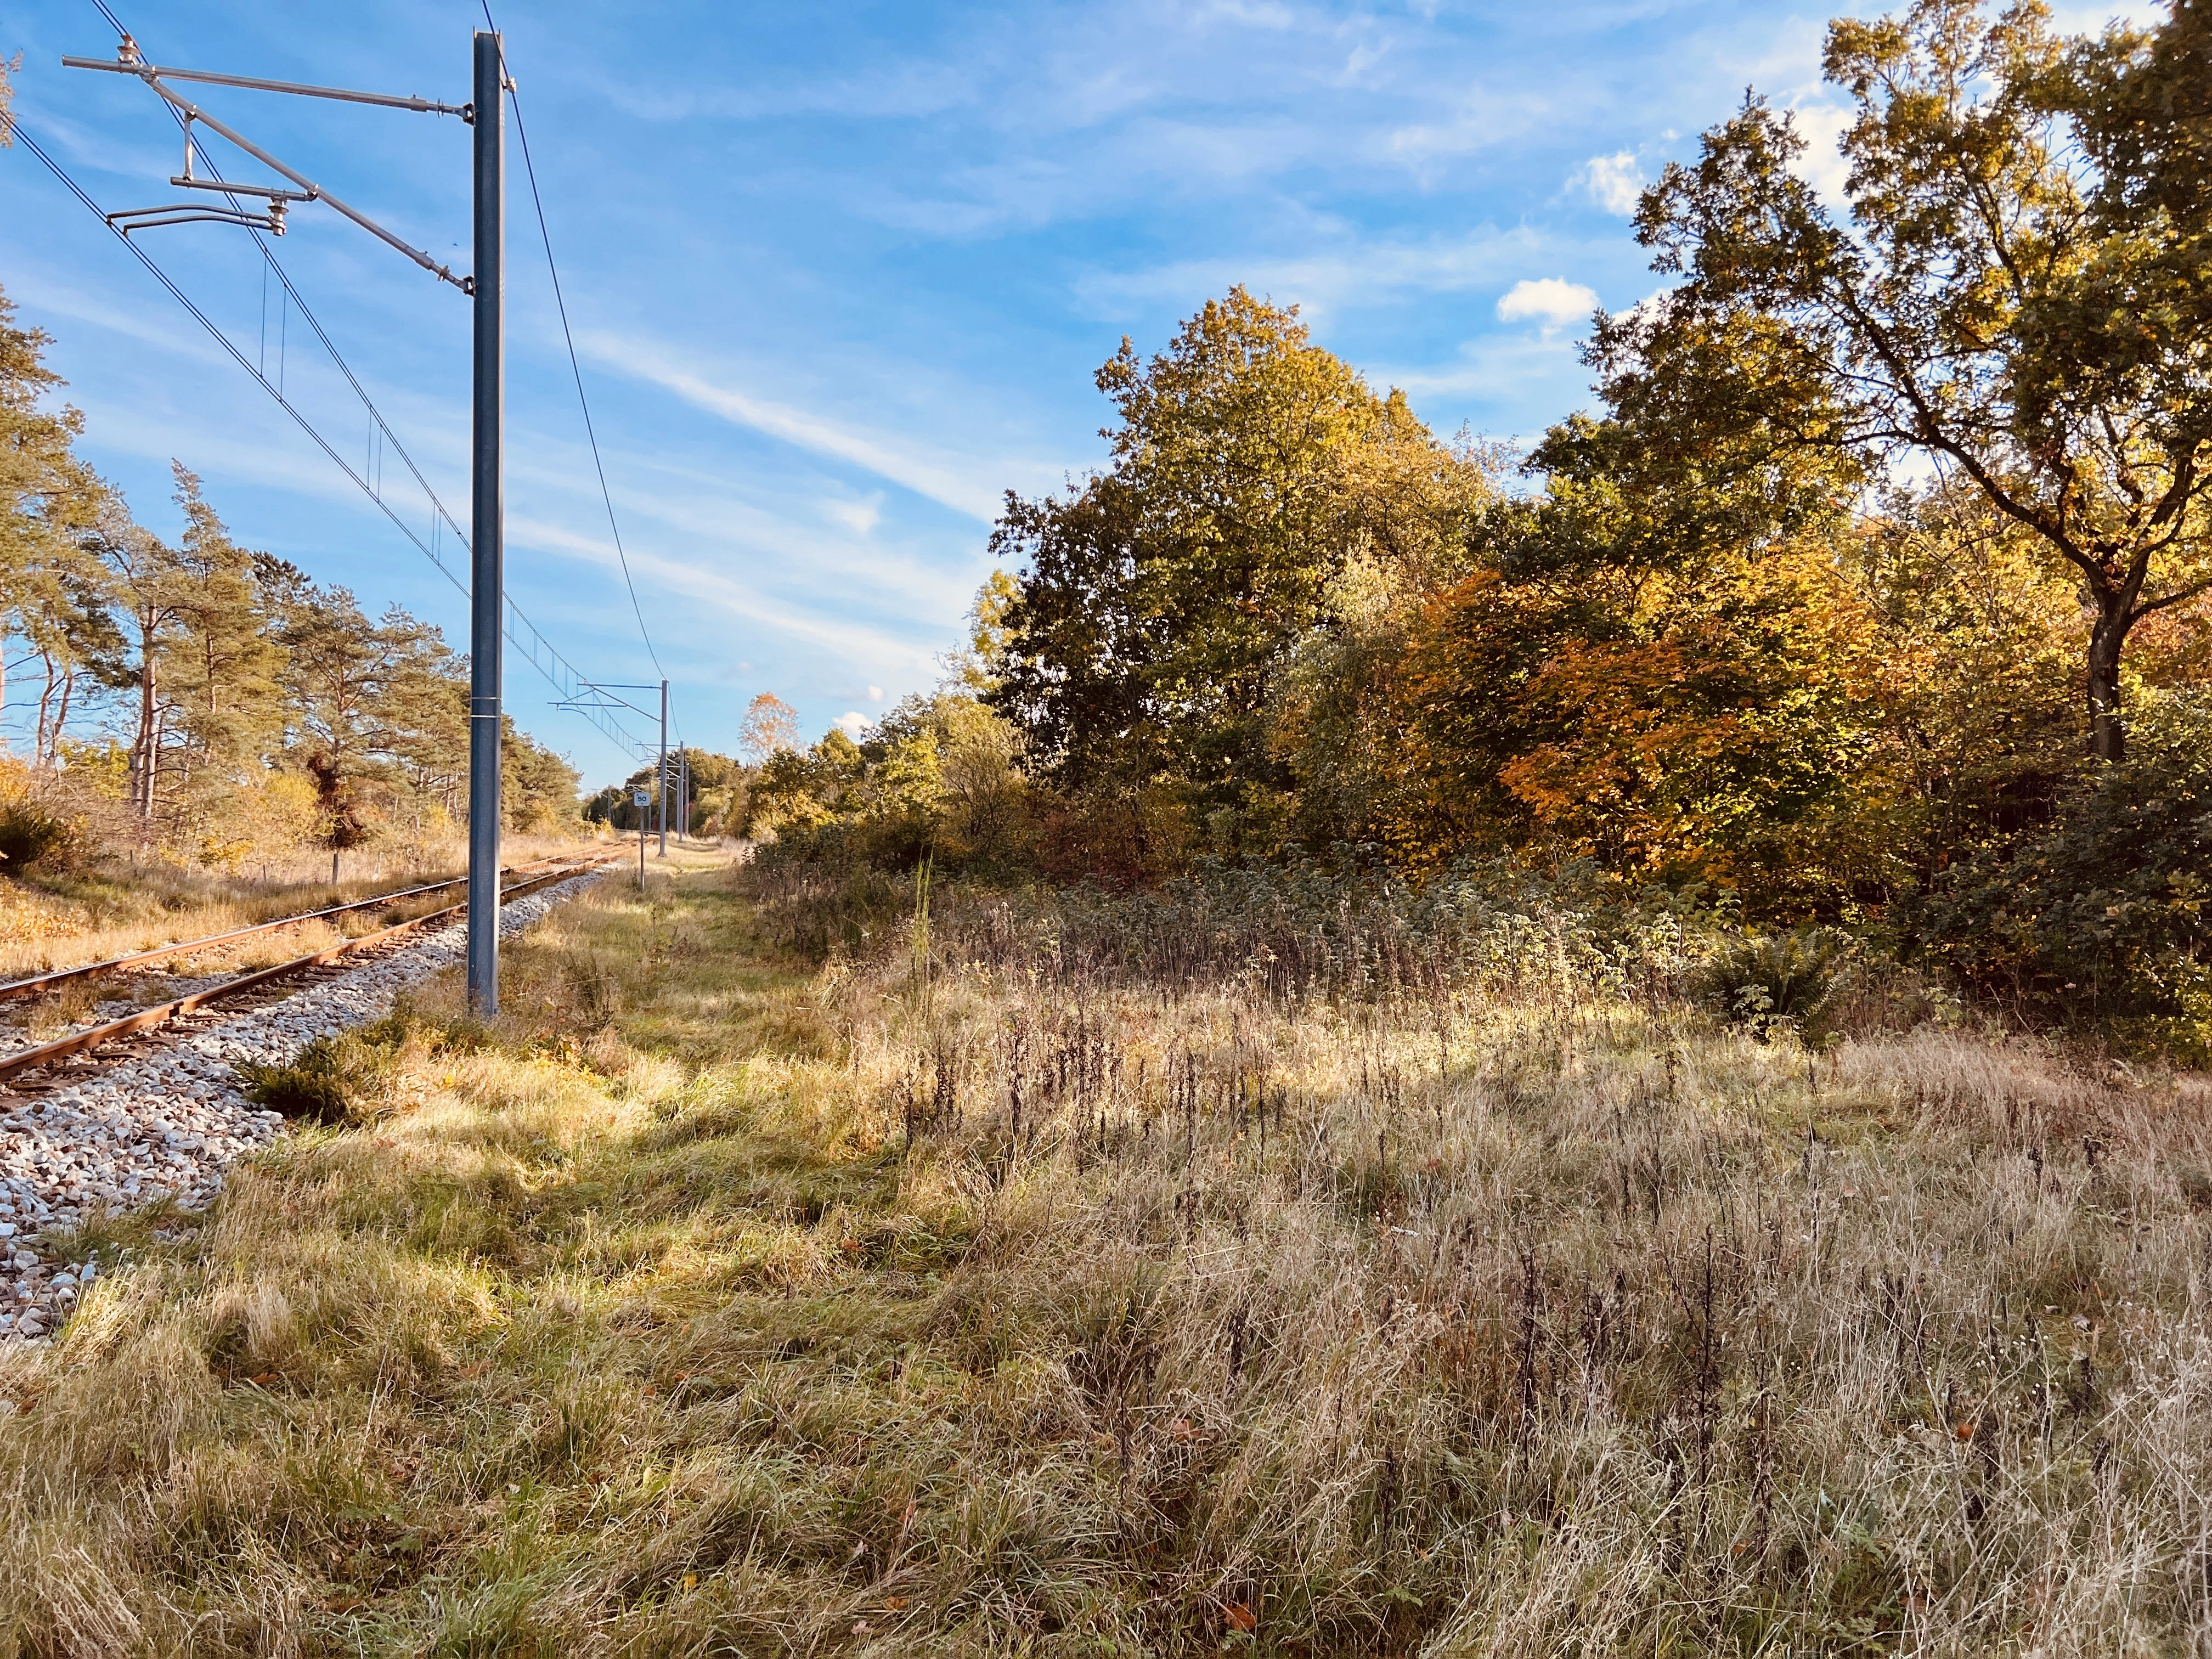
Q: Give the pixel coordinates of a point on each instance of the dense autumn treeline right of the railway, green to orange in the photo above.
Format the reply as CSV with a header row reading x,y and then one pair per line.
x,y
1872,596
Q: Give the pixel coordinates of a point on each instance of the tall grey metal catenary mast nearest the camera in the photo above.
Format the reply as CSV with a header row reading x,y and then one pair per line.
x,y
488,574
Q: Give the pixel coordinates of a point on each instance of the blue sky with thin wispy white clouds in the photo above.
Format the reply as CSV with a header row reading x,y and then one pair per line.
x,y
839,275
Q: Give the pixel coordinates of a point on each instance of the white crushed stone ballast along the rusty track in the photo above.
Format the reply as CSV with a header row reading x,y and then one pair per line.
x,y
171,1123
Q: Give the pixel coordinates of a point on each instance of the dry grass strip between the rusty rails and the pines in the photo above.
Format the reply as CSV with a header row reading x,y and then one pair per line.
x,y
123,910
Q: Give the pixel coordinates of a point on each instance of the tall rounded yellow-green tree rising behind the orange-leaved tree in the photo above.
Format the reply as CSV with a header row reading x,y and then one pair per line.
x,y
1160,603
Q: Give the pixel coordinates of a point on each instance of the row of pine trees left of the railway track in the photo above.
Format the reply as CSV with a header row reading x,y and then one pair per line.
x,y
207,700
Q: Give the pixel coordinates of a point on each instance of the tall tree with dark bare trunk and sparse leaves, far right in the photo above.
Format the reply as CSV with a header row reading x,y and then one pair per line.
x,y
2014,293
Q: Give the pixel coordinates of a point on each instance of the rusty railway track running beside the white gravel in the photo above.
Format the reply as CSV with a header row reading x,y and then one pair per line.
x,y
134,1036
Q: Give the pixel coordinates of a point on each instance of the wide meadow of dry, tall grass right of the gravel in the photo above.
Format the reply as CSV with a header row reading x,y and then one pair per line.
x,y
716,1304
